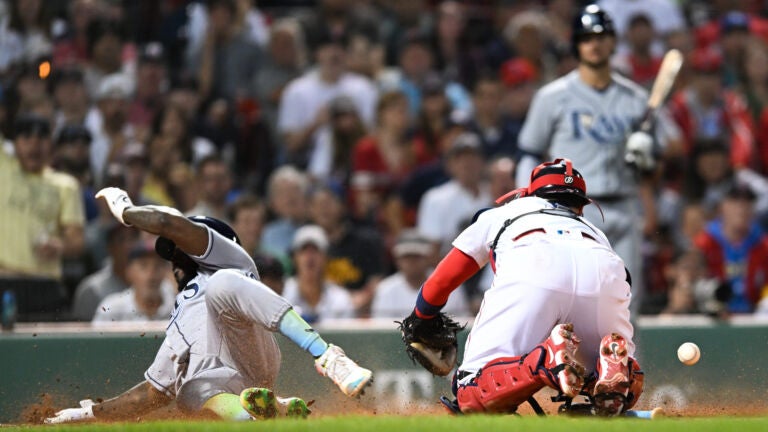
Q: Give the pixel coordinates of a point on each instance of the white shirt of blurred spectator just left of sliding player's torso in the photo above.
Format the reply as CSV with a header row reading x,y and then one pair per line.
x,y
122,306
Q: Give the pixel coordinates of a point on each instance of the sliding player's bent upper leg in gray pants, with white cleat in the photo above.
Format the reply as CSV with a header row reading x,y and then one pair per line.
x,y
233,298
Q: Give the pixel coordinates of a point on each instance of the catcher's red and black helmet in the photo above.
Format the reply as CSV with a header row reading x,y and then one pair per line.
x,y
558,181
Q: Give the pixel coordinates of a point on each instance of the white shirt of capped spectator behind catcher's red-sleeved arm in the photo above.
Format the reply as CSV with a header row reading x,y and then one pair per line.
x,y
395,298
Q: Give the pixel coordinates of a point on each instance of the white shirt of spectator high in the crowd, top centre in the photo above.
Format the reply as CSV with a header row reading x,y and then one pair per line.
x,y
305,96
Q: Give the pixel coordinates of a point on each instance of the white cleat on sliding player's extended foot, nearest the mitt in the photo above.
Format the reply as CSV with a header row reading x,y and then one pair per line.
x,y
344,372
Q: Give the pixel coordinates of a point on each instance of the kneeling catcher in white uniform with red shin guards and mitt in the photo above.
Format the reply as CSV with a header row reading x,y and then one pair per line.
x,y
552,267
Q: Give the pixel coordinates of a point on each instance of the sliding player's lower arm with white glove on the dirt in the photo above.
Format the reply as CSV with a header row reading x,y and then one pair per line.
x,y
140,399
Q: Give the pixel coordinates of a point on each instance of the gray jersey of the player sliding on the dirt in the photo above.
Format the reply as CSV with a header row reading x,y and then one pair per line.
x,y
183,352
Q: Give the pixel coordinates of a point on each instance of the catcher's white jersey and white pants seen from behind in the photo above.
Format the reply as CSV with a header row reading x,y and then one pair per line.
x,y
551,266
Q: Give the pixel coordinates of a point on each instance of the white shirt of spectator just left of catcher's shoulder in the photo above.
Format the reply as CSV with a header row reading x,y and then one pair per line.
x,y
447,209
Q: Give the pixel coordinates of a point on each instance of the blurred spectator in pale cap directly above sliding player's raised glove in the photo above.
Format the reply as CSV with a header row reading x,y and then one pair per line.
x,y
108,124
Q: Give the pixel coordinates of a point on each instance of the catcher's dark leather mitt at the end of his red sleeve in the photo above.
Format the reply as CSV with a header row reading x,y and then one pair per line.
x,y
431,342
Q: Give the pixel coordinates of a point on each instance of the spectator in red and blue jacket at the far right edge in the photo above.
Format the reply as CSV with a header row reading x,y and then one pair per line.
x,y
736,249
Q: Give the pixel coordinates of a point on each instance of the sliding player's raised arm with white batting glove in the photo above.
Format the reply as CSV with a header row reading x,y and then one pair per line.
x,y
164,221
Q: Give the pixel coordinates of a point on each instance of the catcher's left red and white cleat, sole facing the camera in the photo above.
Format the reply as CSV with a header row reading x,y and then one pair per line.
x,y
561,347
